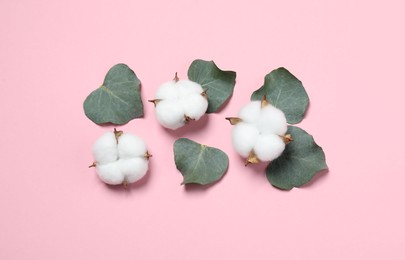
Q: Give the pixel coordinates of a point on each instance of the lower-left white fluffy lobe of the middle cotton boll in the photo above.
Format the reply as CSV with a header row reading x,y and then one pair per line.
x,y
170,114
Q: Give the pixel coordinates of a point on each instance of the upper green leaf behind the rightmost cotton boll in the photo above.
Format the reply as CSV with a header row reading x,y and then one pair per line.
x,y
284,91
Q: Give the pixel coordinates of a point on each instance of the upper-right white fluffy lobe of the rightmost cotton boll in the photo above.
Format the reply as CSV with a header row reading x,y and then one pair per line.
x,y
272,121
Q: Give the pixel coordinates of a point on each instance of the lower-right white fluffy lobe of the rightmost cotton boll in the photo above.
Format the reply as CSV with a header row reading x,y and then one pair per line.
x,y
269,147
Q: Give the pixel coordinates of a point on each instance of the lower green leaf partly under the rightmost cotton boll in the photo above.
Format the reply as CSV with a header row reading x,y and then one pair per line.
x,y
300,161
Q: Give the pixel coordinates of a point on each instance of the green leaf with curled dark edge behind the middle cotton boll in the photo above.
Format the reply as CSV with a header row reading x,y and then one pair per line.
x,y
218,83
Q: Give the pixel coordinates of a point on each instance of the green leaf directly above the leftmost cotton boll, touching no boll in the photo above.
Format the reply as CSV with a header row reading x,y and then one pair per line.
x,y
118,100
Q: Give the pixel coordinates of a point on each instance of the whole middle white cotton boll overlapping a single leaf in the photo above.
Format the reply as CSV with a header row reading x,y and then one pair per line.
x,y
178,102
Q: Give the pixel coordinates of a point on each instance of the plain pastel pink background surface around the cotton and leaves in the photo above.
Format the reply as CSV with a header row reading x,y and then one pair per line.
x,y
350,56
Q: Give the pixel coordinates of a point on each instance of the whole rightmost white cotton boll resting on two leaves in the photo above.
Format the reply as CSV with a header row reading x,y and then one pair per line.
x,y
260,132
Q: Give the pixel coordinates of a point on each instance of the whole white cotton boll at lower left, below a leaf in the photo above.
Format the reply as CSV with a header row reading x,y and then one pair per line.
x,y
120,158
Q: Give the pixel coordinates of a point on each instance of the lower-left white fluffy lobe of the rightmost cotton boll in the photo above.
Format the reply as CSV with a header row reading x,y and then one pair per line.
x,y
244,137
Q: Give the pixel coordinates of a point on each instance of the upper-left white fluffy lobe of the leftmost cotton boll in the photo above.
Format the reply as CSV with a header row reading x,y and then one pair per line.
x,y
105,148
